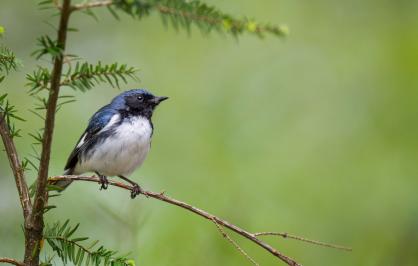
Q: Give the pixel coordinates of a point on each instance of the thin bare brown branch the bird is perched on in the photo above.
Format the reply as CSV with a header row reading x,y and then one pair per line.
x,y
202,213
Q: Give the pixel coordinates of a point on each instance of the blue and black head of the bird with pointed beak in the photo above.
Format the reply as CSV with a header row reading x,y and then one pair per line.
x,y
139,102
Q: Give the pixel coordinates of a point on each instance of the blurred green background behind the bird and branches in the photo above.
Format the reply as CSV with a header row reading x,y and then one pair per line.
x,y
315,135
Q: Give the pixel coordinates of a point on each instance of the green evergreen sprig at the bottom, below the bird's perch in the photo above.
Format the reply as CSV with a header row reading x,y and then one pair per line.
x,y
75,249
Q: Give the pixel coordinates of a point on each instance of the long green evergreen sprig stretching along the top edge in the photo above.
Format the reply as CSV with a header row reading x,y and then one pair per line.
x,y
183,14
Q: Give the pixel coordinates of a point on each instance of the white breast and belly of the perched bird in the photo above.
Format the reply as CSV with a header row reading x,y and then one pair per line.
x,y
123,152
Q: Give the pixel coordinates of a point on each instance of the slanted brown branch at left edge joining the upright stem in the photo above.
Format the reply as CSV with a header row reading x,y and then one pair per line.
x,y
17,169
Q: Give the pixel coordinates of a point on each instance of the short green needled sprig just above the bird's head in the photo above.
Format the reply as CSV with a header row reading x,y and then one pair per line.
x,y
85,76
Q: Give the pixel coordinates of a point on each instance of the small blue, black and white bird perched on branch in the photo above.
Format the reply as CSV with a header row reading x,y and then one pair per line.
x,y
117,139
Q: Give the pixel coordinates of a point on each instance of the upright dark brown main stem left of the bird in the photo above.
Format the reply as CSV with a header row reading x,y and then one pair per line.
x,y
34,230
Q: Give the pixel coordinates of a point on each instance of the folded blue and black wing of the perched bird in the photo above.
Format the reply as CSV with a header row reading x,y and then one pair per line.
x,y
97,122
